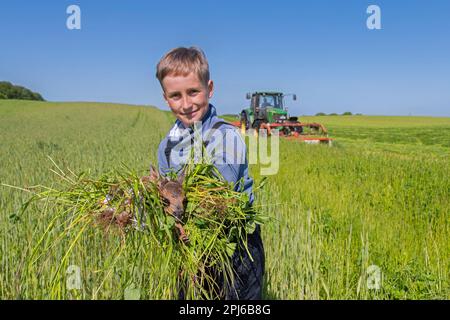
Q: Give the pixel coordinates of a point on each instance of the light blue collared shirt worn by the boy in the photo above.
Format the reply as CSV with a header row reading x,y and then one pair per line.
x,y
232,171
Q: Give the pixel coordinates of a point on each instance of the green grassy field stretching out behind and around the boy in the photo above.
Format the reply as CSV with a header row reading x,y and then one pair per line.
x,y
379,197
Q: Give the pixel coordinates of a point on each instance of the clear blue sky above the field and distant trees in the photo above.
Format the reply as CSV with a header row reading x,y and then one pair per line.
x,y
321,50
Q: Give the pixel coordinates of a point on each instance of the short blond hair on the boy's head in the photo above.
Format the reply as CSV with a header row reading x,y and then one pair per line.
x,y
182,61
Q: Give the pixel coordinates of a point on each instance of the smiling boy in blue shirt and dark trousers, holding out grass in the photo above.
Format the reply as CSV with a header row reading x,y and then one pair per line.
x,y
184,77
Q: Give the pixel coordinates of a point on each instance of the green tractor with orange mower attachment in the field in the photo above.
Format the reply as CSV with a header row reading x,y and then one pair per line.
x,y
268,111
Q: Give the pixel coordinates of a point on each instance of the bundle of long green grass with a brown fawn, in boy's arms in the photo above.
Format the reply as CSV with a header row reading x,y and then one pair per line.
x,y
162,235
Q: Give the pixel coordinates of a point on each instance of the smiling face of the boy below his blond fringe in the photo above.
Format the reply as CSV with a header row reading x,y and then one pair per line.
x,y
187,97
